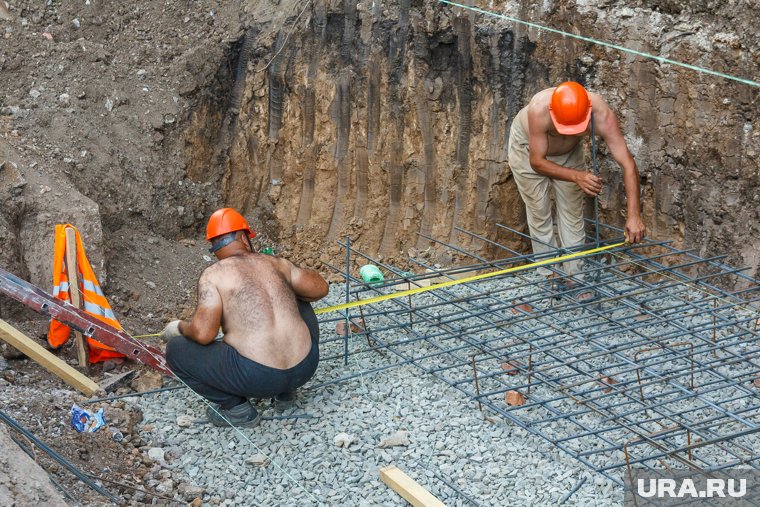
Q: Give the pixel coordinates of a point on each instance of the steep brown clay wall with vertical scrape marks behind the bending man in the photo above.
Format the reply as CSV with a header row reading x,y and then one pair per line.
x,y
395,118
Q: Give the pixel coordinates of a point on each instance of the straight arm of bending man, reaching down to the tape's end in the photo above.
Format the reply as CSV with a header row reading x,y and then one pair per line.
x,y
607,126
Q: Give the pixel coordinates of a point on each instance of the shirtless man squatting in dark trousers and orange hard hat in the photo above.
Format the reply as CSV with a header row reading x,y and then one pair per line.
x,y
270,345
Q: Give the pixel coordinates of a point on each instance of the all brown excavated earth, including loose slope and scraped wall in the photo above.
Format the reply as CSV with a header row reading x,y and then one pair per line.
x,y
383,121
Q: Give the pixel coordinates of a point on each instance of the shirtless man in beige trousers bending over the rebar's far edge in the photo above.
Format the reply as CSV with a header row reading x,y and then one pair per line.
x,y
545,151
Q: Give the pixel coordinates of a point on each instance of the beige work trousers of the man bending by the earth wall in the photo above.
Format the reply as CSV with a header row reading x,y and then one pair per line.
x,y
534,190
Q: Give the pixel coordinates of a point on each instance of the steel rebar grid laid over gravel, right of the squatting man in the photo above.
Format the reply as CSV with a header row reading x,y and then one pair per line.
x,y
657,369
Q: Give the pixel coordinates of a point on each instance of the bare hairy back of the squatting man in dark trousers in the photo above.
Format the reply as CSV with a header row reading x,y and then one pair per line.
x,y
260,317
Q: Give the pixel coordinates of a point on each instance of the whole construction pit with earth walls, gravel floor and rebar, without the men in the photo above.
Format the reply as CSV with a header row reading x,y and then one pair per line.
x,y
356,133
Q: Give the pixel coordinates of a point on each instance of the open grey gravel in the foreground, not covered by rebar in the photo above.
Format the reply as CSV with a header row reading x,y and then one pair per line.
x,y
455,451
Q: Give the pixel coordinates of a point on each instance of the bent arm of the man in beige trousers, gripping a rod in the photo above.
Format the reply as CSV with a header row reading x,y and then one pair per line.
x,y
538,144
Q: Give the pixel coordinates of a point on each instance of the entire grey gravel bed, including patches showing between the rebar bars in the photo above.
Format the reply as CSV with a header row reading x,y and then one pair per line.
x,y
462,455
